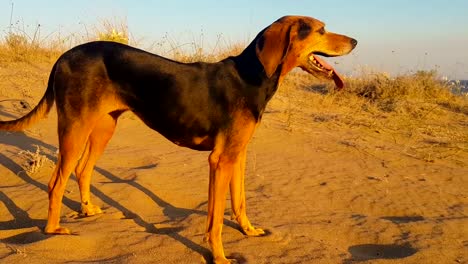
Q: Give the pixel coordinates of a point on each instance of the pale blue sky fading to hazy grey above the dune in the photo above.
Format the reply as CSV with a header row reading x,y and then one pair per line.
x,y
396,37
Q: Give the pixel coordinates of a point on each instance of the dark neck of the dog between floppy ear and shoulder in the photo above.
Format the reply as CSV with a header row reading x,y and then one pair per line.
x,y
255,79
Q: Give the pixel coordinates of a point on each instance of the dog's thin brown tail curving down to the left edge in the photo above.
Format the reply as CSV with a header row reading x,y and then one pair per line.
x,y
39,112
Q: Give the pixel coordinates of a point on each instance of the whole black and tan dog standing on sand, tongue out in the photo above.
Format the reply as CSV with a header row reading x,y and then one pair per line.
x,y
203,106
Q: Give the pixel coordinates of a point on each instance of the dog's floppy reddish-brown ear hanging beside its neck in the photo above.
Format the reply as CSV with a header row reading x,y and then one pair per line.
x,y
272,46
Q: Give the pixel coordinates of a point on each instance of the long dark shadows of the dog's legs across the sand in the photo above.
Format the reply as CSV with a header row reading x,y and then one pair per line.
x,y
23,220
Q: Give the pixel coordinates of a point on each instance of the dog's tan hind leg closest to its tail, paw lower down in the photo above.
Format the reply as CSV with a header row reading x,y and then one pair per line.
x,y
72,140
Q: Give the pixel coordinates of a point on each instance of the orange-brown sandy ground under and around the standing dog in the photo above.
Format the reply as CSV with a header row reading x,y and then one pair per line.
x,y
327,194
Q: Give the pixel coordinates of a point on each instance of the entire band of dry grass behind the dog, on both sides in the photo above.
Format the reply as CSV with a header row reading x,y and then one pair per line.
x,y
418,111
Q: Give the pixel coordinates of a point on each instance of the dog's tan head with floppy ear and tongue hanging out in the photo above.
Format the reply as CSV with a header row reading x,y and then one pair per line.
x,y
298,41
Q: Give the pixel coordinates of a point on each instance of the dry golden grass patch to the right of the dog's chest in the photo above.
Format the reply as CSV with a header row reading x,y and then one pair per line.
x,y
416,112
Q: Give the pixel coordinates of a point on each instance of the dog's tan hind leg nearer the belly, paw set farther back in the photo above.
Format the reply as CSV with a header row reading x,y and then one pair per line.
x,y
96,144
